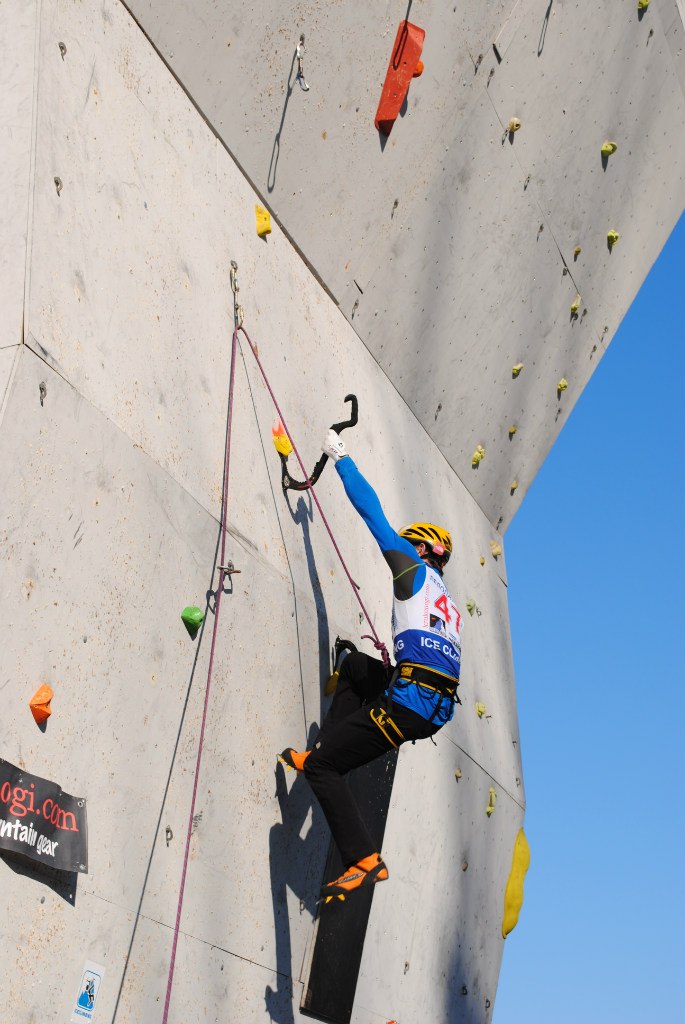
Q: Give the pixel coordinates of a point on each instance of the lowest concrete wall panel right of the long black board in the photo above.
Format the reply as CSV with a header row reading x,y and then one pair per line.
x,y
450,922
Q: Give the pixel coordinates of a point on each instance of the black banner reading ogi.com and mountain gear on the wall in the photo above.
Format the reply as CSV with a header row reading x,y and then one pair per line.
x,y
40,822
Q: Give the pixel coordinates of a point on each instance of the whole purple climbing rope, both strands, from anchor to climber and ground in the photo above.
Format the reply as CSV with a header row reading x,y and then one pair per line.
x,y
226,571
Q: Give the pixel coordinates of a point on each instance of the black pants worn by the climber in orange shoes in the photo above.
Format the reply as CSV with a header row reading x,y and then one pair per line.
x,y
360,728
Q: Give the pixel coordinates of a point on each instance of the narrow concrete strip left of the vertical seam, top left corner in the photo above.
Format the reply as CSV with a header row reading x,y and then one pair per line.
x,y
19,24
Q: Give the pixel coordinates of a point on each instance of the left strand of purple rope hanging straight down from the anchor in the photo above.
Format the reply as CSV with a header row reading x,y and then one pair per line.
x,y
218,606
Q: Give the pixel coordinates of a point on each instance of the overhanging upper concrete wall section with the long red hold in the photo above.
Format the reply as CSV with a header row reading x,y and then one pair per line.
x,y
456,248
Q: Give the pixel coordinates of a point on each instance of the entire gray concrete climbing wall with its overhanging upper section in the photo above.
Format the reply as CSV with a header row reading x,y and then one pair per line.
x,y
126,206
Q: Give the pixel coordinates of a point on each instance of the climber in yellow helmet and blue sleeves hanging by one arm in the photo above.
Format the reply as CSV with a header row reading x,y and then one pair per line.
x,y
376,710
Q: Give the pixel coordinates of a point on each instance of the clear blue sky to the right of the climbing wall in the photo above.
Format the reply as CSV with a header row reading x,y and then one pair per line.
x,y
596,568
